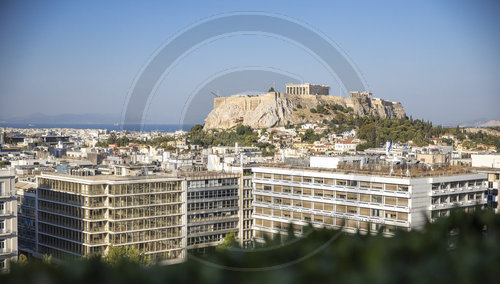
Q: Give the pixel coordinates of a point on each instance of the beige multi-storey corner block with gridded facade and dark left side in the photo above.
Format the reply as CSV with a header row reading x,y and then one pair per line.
x,y
85,215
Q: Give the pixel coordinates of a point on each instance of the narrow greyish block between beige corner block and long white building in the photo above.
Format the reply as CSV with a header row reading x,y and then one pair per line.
x,y
213,209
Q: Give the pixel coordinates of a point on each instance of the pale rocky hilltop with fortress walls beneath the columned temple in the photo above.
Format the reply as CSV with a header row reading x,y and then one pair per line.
x,y
277,109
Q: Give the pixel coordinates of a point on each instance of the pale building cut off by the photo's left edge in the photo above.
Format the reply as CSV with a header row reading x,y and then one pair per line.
x,y
8,219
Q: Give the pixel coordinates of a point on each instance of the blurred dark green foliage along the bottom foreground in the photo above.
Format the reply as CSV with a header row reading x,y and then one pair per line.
x,y
461,248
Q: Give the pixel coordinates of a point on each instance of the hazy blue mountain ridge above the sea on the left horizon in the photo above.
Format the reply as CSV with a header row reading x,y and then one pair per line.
x,y
67,118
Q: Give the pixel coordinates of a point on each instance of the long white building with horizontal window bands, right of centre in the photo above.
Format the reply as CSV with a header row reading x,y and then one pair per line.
x,y
357,200
